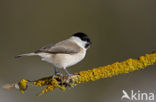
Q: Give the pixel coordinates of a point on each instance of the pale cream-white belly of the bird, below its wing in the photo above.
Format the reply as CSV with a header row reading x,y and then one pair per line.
x,y
66,60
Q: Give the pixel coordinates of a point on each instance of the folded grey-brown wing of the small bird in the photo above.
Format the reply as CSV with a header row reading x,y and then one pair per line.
x,y
66,47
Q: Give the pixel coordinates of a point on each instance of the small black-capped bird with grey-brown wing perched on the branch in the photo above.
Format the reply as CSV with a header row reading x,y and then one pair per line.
x,y
65,53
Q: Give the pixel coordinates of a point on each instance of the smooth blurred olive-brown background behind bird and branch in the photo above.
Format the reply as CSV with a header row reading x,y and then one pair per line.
x,y
119,29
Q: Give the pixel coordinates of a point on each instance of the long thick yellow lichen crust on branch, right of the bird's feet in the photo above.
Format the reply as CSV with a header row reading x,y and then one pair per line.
x,y
117,68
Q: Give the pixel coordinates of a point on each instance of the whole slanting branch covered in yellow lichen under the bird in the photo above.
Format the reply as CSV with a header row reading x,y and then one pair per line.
x,y
62,82
